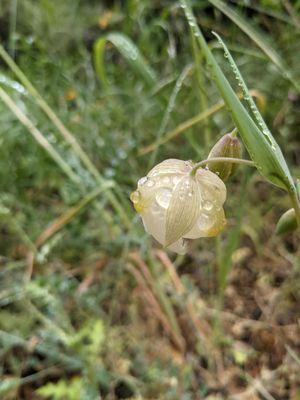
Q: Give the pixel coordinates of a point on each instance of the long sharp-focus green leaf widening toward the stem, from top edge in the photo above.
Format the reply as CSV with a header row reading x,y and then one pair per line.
x,y
263,150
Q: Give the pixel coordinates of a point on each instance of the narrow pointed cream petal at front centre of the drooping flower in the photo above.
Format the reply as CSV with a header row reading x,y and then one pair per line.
x,y
183,210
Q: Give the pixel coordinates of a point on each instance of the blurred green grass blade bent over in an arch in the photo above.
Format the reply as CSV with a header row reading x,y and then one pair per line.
x,y
129,51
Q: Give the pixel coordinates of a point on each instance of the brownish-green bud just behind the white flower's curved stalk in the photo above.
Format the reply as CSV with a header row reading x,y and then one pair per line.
x,y
227,146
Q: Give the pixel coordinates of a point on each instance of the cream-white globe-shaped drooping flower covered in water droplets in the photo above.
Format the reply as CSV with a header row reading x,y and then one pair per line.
x,y
176,206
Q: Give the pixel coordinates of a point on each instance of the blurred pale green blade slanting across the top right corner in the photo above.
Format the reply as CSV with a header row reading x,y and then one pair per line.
x,y
258,38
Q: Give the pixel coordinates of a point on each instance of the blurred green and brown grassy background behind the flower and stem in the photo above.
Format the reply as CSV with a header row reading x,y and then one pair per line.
x,y
93,94
